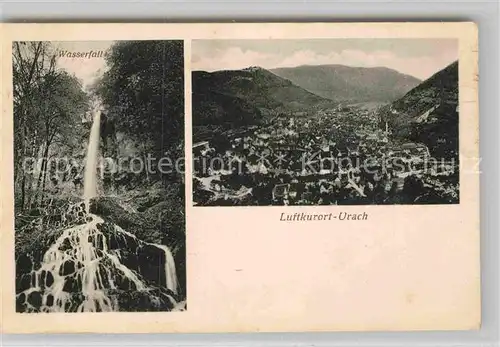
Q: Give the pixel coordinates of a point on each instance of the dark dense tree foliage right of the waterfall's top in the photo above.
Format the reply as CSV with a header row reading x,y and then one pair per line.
x,y
143,94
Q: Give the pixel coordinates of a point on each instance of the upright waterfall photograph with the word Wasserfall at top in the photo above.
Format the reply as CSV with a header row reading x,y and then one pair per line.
x,y
99,176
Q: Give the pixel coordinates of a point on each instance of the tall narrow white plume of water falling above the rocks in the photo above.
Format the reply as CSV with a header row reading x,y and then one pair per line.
x,y
90,186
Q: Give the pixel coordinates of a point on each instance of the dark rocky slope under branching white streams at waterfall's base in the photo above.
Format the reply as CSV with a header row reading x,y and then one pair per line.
x,y
98,265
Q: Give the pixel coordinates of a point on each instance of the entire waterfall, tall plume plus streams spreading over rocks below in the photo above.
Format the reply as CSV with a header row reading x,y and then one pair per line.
x,y
92,267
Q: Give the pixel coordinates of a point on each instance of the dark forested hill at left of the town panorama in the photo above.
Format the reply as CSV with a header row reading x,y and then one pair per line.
x,y
244,96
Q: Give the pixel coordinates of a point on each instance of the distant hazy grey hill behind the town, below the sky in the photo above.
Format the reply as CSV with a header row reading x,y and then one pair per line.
x,y
350,84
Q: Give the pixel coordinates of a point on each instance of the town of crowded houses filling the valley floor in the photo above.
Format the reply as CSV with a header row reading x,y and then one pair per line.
x,y
341,156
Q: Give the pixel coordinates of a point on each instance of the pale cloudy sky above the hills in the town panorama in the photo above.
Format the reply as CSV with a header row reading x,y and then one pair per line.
x,y
420,58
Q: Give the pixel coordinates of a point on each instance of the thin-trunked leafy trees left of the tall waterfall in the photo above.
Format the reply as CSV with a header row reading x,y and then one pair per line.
x,y
48,108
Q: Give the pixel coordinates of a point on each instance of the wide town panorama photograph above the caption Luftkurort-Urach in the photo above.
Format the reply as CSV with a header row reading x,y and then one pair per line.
x,y
325,122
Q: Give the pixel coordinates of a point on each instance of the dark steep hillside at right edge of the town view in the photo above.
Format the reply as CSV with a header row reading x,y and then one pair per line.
x,y
429,113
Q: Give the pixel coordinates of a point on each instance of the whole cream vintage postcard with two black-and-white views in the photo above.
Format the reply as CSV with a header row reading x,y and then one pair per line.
x,y
239,177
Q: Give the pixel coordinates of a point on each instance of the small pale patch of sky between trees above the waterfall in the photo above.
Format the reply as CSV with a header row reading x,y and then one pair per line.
x,y
86,69
